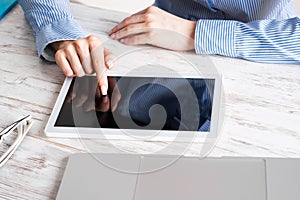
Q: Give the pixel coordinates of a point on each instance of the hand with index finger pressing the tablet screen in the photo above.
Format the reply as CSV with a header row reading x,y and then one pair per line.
x,y
84,56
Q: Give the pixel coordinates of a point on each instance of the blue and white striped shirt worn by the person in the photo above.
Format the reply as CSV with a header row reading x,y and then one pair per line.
x,y
257,30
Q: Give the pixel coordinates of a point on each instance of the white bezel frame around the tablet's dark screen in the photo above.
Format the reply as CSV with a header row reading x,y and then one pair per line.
x,y
73,132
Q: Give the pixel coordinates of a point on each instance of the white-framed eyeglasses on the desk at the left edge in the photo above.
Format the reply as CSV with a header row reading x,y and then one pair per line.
x,y
21,127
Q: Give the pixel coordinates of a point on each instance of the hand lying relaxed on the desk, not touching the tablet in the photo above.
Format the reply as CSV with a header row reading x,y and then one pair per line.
x,y
156,27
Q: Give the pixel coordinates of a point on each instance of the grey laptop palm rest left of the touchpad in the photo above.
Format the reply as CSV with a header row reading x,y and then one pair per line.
x,y
96,176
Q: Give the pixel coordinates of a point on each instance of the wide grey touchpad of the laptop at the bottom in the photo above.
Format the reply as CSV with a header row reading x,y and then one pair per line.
x,y
194,179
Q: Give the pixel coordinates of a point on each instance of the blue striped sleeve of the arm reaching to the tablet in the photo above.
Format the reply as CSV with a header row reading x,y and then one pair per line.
x,y
51,21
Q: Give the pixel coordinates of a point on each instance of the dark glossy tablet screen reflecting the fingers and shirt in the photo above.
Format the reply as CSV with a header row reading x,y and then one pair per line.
x,y
139,103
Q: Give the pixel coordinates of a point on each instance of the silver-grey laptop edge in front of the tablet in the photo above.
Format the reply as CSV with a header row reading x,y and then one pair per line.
x,y
140,177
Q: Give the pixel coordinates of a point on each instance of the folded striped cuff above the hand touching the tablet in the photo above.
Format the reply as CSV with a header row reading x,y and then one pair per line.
x,y
64,29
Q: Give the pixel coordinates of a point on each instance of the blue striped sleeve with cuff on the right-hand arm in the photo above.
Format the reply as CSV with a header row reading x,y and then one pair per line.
x,y
268,41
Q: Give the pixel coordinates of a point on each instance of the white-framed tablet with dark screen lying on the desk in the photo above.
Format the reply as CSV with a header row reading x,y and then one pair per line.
x,y
149,105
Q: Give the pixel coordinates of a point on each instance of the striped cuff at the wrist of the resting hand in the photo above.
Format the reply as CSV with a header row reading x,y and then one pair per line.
x,y
215,37
